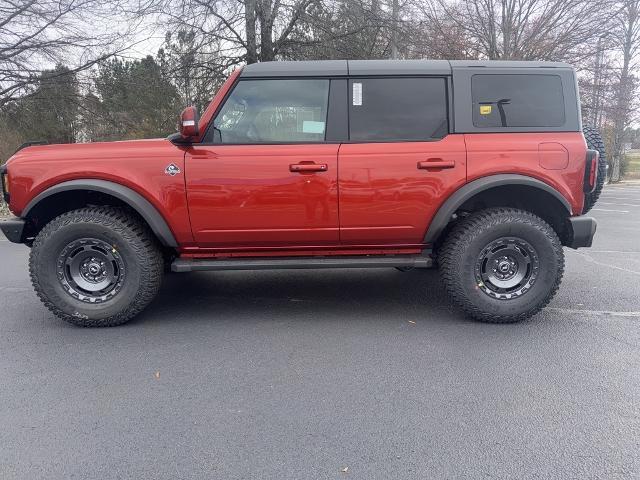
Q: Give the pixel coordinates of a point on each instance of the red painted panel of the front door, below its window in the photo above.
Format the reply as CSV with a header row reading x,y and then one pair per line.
x,y
246,195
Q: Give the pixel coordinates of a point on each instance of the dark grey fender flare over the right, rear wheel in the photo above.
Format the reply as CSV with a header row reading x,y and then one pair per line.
x,y
453,203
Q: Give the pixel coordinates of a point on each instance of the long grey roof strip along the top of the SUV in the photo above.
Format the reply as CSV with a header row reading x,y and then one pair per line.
x,y
312,68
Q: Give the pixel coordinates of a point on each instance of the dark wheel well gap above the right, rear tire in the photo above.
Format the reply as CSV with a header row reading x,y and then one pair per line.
x,y
524,197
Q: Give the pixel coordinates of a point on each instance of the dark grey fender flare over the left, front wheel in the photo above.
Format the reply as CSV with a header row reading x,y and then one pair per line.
x,y
136,201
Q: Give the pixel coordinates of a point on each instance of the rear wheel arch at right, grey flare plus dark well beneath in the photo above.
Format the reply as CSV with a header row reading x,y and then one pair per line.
x,y
534,195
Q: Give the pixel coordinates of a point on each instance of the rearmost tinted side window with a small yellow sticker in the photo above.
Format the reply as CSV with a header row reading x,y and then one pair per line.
x,y
517,101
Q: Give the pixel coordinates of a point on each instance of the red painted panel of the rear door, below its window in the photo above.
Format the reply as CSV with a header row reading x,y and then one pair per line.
x,y
386,198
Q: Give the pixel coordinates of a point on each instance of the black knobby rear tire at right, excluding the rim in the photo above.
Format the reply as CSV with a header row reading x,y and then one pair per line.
x,y
459,254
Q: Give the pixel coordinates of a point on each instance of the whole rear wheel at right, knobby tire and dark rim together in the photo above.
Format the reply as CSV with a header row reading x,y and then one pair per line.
x,y
501,265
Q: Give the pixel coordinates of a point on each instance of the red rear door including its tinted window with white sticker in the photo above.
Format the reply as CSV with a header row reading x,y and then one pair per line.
x,y
400,162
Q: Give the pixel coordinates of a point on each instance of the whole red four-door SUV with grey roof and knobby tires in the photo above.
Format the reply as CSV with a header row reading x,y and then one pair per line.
x,y
478,168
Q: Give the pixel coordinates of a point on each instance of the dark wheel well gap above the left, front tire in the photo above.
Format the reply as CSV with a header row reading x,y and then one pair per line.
x,y
65,201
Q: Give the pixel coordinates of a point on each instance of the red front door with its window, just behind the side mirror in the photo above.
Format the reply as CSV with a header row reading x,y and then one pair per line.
x,y
263,175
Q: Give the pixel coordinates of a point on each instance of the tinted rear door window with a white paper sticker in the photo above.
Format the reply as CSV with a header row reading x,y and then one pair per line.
x,y
397,109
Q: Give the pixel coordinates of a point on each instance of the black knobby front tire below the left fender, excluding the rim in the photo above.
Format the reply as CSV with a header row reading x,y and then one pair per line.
x,y
133,244
